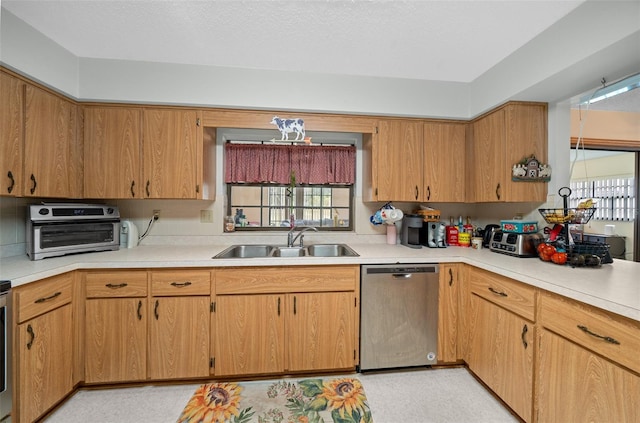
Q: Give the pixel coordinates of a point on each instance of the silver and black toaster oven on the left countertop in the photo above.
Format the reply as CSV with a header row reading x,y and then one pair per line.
x,y
60,229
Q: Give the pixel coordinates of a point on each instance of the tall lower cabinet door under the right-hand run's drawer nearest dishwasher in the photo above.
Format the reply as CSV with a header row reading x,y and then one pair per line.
x,y
501,354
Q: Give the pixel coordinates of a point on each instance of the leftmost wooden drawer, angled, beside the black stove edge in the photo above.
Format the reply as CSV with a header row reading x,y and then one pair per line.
x,y
40,297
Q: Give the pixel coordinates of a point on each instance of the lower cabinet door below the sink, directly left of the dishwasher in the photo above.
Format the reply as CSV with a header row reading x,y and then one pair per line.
x,y
320,331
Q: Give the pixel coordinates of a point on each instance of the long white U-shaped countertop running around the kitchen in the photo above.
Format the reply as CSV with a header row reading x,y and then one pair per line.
x,y
613,287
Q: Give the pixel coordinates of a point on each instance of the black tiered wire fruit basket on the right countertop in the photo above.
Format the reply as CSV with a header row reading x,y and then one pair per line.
x,y
580,253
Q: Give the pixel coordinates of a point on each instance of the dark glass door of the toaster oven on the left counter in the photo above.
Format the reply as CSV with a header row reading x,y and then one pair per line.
x,y
59,238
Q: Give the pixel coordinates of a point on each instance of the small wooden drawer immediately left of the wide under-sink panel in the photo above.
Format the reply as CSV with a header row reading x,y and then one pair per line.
x,y
180,282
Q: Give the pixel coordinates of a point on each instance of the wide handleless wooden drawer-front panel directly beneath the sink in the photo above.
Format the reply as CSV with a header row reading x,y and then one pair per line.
x,y
260,280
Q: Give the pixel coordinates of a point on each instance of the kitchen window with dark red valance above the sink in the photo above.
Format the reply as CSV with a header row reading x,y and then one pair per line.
x,y
271,186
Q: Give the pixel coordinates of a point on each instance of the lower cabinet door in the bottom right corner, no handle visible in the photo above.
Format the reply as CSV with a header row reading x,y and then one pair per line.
x,y
577,385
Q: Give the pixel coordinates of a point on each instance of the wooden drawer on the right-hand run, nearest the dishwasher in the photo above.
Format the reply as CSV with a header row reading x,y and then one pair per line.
x,y
514,296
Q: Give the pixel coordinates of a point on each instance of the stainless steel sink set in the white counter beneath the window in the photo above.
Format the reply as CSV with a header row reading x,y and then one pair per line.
x,y
263,251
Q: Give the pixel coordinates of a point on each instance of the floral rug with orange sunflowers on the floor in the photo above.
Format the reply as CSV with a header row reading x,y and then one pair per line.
x,y
337,400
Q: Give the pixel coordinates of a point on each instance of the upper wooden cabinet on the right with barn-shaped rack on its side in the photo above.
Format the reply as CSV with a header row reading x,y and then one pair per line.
x,y
499,140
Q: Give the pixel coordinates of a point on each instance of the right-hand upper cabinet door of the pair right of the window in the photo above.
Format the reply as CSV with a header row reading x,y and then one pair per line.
x,y
444,162
